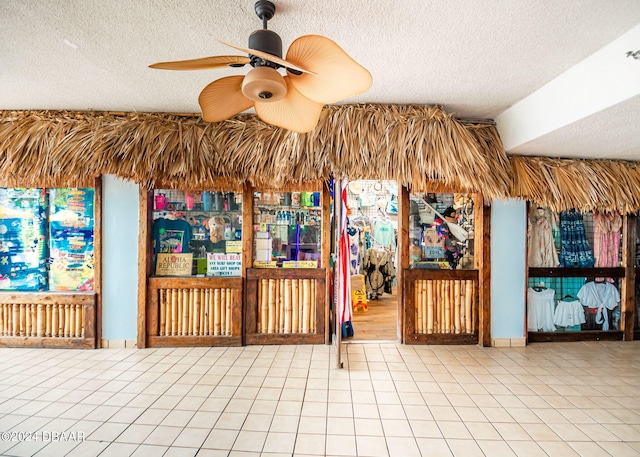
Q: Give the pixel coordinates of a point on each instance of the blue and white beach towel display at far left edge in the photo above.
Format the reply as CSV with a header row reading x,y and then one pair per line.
x,y
23,247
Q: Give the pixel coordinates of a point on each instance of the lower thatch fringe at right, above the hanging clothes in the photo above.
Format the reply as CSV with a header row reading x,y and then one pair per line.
x,y
586,185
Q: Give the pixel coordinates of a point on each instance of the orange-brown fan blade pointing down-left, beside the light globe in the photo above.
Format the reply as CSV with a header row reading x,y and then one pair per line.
x,y
223,98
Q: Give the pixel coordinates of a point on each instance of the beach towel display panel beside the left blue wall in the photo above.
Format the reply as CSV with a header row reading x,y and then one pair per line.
x,y
71,239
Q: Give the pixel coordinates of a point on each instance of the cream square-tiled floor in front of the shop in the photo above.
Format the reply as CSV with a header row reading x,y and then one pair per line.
x,y
564,399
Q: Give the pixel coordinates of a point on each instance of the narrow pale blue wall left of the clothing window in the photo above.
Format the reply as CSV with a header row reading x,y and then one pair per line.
x,y
508,267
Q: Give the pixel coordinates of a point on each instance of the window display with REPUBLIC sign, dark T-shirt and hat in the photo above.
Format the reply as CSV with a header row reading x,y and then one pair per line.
x,y
197,233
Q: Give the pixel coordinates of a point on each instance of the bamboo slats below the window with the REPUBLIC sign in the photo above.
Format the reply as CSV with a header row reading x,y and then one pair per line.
x,y
195,312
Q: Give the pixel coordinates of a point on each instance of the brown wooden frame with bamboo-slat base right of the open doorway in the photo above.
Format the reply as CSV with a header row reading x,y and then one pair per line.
x,y
445,306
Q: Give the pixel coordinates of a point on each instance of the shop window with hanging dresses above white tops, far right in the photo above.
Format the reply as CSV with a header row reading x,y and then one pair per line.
x,y
575,271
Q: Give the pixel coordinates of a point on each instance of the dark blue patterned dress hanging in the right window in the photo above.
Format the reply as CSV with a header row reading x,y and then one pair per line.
x,y
575,252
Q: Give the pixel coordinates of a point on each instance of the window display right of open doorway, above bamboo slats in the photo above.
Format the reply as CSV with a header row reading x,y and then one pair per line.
x,y
441,230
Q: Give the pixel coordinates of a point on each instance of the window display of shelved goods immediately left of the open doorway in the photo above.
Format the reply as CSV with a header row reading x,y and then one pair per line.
x,y
287,229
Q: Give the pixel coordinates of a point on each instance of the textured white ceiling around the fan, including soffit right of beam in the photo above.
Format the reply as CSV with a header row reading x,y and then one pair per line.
x,y
475,57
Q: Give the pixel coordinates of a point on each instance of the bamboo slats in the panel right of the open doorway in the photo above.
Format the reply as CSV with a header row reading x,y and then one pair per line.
x,y
445,306
